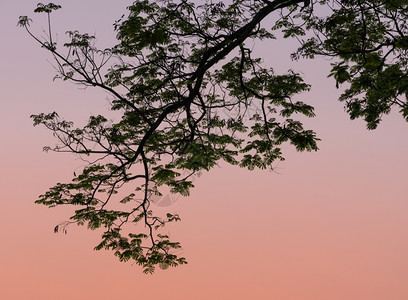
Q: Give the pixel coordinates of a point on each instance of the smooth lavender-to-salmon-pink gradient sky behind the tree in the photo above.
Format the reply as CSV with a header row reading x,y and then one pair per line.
x,y
330,224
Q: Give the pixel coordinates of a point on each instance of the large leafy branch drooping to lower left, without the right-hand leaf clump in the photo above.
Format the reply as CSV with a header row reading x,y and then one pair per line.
x,y
173,81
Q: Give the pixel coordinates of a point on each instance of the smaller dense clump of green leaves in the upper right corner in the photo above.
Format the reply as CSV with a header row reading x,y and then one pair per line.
x,y
370,43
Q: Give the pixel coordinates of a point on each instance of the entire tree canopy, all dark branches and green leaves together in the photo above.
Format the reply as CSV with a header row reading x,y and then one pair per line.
x,y
191,93
